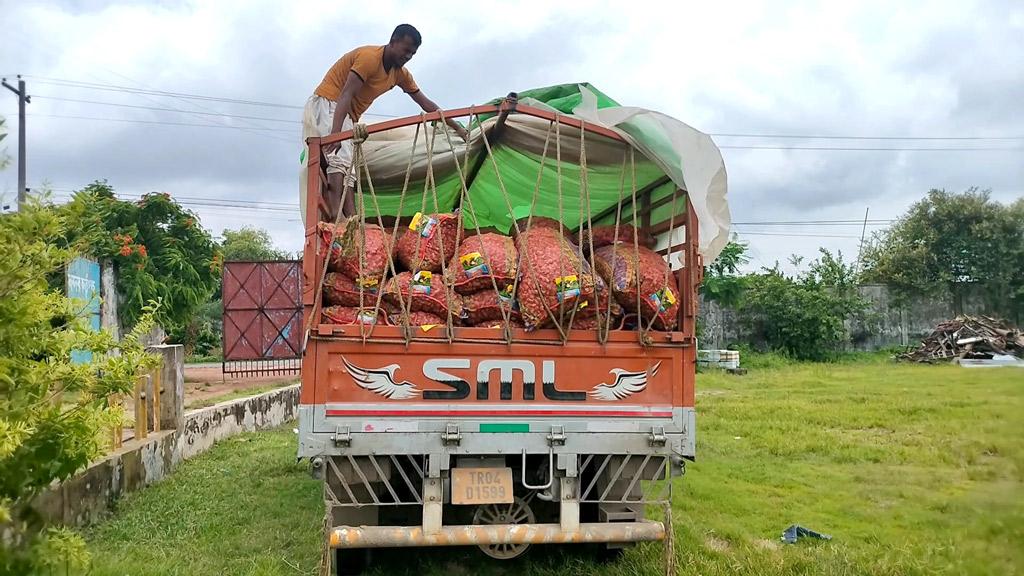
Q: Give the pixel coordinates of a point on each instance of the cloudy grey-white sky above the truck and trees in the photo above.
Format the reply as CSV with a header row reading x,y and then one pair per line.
x,y
852,69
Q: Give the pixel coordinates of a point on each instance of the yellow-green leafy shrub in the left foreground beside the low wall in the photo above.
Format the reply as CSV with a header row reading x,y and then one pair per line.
x,y
55,416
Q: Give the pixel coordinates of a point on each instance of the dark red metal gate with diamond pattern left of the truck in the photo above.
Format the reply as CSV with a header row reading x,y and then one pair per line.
x,y
263,317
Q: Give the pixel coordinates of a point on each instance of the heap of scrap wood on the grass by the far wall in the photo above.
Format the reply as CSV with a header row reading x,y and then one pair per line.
x,y
976,338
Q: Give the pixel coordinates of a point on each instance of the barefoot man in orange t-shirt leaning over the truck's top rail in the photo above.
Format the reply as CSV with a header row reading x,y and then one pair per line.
x,y
348,91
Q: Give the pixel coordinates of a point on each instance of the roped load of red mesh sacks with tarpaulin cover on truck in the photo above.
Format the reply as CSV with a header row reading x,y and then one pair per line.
x,y
542,222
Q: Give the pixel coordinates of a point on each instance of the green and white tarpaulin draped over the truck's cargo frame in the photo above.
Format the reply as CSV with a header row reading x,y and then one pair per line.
x,y
658,147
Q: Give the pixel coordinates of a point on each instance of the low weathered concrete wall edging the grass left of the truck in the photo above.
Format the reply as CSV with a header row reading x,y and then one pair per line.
x,y
90,496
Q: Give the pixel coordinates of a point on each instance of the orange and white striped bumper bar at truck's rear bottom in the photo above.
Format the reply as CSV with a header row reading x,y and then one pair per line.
x,y
402,537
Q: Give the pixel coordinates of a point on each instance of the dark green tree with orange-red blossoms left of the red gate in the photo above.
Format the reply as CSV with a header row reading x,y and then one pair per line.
x,y
160,250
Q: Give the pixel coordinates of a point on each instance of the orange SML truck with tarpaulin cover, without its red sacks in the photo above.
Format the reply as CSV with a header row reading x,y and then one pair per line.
x,y
501,437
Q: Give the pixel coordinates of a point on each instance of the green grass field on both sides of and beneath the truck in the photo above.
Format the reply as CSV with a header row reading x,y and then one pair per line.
x,y
913,470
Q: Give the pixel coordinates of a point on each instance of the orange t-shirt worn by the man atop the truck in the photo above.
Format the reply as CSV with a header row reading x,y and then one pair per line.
x,y
368,64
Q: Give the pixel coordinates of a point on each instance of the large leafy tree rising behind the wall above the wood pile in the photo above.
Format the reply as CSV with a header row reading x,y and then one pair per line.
x,y
948,244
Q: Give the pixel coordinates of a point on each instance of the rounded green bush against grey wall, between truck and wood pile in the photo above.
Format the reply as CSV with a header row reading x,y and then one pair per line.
x,y
806,315
